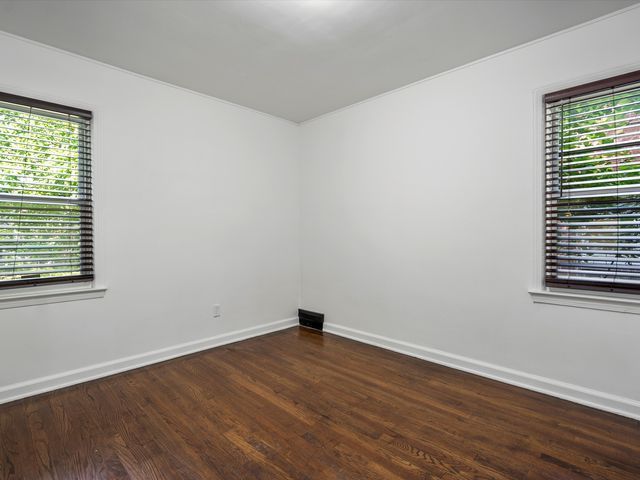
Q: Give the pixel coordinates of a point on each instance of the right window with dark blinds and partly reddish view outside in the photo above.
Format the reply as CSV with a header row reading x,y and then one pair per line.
x,y
593,186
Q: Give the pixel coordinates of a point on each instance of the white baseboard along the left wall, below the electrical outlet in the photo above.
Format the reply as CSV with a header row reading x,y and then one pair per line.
x,y
36,386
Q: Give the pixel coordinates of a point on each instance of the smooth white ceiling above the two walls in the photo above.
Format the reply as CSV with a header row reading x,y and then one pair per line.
x,y
295,59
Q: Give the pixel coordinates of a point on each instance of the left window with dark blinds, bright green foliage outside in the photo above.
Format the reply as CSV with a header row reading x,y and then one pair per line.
x,y
45,193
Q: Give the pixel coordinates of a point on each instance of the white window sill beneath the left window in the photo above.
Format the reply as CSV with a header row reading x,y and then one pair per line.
x,y
30,297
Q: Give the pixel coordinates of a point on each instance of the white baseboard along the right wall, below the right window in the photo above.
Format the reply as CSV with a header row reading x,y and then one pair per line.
x,y
574,393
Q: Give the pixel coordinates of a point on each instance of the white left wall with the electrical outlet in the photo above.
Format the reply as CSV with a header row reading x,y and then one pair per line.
x,y
197,204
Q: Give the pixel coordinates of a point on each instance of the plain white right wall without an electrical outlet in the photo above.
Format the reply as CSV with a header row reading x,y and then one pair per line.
x,y
417,221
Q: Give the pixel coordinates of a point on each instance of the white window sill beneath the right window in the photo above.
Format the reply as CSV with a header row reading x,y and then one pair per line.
x,y
585,300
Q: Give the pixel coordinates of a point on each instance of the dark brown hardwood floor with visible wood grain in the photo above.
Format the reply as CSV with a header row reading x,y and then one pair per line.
x,y
299,405
